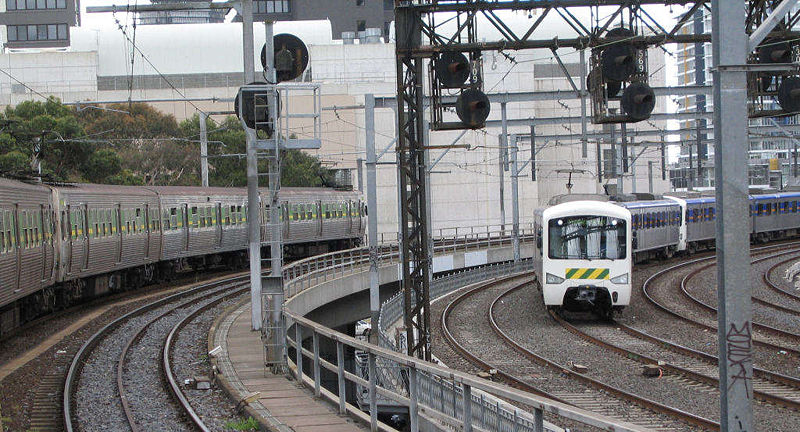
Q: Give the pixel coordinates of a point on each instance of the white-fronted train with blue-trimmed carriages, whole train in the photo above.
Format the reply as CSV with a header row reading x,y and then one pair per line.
x,y
586,246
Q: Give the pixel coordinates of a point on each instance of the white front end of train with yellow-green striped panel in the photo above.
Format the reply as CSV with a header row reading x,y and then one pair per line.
x,y
583,257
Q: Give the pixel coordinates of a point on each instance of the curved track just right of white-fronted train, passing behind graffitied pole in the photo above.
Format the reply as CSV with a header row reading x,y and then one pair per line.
x,y
764,336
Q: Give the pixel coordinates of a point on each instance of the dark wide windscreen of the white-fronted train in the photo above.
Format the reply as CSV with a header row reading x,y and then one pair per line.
x,y
587,237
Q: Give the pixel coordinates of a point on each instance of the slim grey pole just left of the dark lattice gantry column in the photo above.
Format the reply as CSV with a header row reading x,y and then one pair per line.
x,y
372,215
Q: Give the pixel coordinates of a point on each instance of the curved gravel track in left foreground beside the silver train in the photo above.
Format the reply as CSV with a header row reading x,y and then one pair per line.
x,y
94,376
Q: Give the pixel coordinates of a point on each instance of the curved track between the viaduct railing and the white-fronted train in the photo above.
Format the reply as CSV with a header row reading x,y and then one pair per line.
x,y
511,359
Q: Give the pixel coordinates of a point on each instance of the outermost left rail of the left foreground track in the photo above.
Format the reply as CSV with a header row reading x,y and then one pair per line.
x,y
86,349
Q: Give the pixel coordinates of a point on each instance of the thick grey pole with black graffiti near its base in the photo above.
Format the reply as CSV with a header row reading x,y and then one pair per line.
x,y
733,261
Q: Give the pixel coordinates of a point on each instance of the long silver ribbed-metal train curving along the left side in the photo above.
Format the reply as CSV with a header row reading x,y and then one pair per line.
x,y
60,244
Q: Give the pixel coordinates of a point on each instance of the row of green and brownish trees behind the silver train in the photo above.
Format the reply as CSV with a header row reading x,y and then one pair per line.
x,y
134,144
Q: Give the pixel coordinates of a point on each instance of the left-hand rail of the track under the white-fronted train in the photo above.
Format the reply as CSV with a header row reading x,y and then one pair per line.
x,y
688,373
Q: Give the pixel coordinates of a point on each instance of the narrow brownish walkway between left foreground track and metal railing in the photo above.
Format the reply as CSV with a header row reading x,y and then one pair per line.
x,y
282,399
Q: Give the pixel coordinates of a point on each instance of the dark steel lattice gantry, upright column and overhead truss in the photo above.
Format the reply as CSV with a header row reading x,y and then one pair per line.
x,y
420,37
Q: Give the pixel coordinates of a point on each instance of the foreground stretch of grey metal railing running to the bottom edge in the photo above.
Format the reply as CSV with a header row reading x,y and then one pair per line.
x,y
424,396
